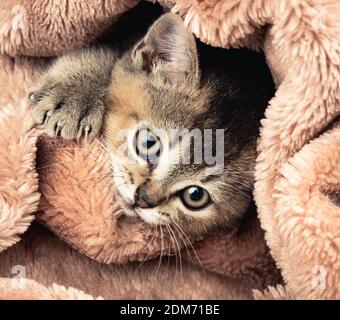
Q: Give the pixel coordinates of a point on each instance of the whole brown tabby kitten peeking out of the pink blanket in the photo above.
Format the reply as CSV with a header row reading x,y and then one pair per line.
x,y
166,81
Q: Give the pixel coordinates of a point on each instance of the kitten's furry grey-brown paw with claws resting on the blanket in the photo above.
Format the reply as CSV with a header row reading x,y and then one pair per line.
x,y
66,112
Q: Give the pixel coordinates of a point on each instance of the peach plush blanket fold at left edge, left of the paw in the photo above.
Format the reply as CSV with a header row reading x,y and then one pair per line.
x,y
19,196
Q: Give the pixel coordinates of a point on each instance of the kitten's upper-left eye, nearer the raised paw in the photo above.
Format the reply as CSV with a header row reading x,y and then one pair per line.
x,y
148,144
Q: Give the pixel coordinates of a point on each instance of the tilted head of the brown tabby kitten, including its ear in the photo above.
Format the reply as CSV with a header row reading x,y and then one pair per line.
x,y
182,141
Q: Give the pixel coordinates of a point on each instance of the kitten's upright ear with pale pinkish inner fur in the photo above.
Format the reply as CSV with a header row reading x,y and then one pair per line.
x,y
168,50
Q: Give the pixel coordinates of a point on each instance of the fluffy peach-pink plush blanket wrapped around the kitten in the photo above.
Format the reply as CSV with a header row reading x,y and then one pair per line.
x,y
297,174
